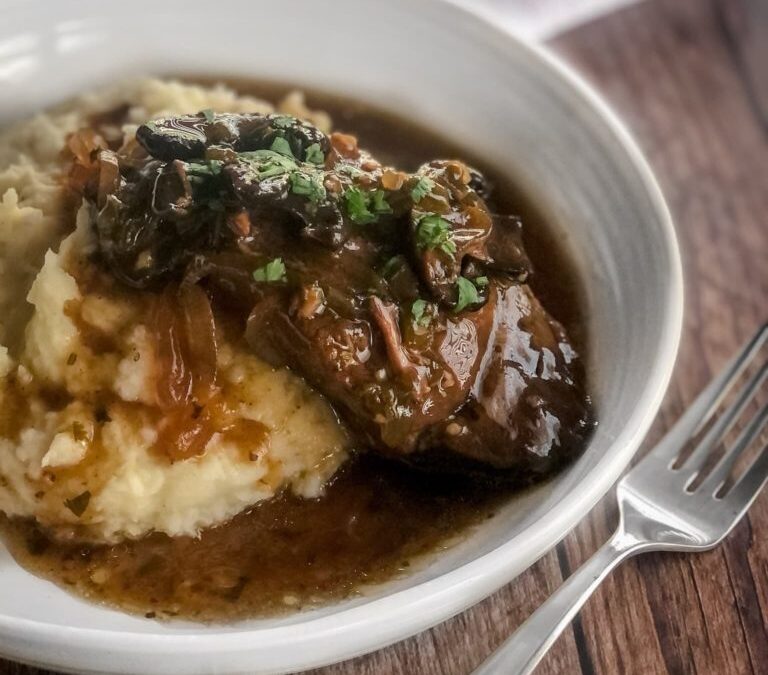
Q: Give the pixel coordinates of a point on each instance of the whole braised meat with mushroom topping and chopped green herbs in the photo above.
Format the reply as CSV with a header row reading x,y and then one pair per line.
x,y
400,296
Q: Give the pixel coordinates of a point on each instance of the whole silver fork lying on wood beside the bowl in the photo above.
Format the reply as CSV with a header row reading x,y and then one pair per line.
x,y
660,508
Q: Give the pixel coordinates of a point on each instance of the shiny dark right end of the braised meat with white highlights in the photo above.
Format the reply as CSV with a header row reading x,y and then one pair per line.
x,y
527,410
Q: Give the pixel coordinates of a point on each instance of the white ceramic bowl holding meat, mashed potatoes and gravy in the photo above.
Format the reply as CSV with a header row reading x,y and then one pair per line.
x,y
512,103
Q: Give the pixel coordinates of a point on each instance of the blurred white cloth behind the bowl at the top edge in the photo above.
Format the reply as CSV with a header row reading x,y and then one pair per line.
x,y
542,19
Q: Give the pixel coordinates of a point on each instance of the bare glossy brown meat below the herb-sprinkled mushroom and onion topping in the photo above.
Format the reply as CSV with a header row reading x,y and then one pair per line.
x,y
495,387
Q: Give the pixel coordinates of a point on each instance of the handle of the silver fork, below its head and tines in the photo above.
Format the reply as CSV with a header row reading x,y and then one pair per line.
x,y
521,653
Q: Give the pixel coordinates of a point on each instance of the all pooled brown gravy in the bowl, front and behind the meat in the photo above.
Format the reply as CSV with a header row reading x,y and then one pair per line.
x,y
376,518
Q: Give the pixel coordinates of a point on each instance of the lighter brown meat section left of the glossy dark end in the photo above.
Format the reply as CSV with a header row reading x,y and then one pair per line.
x,y
390,383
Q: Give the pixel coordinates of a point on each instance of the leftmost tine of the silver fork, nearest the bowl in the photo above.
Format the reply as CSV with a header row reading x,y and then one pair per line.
x,y
702,409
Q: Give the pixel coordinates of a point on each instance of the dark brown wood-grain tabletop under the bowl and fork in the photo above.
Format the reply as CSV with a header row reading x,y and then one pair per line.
x,y
690,78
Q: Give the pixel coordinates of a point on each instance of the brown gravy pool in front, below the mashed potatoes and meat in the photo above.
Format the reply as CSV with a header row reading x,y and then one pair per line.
x,y
286,554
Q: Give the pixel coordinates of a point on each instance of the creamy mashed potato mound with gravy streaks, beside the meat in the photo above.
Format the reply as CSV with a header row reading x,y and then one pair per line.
x,y
99,475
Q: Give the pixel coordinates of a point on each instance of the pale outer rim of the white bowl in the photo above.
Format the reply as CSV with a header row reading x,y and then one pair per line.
x,y
383,621
